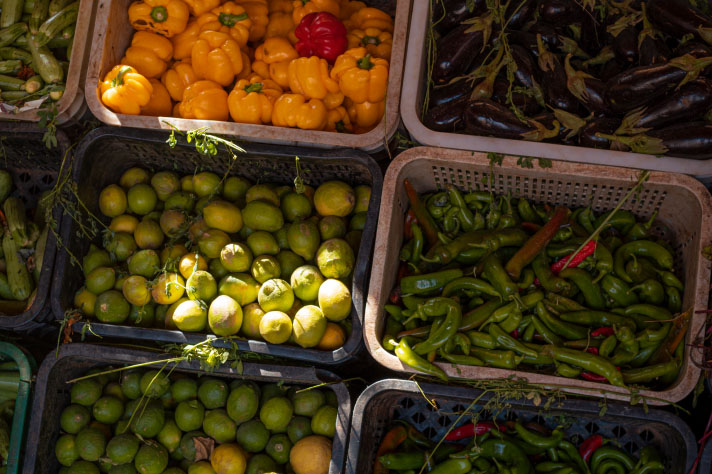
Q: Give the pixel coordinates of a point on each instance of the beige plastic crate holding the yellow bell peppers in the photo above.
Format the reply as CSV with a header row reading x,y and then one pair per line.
x,y
112,35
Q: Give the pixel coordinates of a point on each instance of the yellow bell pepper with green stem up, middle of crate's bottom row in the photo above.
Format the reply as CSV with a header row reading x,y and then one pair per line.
x,y
251,101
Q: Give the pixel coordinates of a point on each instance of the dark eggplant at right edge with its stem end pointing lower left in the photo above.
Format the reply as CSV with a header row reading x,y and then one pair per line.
x,y
690,101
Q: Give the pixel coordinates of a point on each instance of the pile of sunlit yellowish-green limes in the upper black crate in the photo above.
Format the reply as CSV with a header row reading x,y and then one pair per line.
x,y
198,254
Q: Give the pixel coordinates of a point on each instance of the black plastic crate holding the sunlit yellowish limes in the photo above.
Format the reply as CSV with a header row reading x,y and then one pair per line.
x,y
105,153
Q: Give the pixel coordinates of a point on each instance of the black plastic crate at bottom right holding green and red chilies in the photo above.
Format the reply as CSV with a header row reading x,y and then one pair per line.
x,y
393,399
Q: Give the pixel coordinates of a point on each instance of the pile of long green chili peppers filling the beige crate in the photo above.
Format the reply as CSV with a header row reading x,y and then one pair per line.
x,y
500,282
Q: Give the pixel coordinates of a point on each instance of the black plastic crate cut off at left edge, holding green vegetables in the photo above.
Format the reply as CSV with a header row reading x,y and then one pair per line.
x,y
34,169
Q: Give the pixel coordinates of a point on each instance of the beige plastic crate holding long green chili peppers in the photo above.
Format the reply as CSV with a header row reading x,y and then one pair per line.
x,y
685,218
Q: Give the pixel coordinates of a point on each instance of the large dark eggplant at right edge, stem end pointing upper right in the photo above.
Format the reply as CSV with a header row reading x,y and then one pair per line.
x,y
639,85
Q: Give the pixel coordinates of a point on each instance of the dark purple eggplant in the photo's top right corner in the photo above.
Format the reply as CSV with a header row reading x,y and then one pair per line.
x,y
678,18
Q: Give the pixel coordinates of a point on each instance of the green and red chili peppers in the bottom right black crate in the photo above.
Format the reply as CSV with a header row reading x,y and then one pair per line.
x,y
514,447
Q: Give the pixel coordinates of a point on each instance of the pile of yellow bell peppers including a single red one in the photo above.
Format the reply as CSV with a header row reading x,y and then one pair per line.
x,y
311,64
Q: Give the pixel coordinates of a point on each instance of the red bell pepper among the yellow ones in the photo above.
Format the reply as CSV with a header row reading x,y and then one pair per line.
x,y
321,34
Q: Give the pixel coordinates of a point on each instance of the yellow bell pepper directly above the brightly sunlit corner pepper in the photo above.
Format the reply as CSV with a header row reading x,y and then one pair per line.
x,y
149,53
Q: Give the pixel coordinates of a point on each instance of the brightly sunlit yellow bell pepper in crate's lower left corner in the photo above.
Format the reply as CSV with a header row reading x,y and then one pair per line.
x,y
125,91
